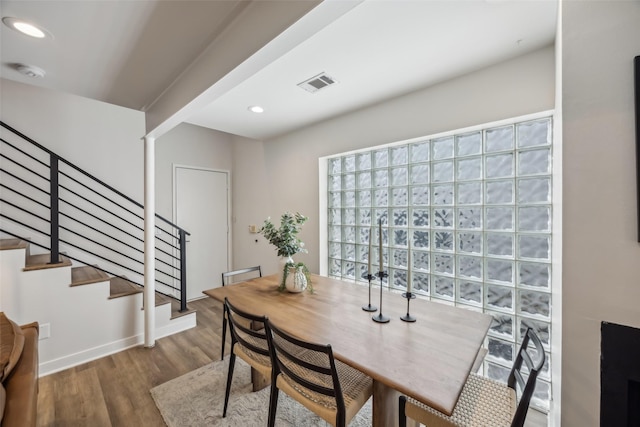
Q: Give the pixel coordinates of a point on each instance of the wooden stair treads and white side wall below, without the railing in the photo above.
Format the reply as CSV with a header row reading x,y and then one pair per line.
x,y
83,313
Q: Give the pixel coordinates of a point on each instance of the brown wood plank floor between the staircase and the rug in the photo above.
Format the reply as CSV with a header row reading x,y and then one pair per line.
x,y
114,390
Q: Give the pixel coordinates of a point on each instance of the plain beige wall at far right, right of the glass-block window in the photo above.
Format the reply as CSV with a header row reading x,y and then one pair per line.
x,y
601,268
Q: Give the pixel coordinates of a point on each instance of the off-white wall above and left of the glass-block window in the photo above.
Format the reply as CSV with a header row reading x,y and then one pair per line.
x,y
289,174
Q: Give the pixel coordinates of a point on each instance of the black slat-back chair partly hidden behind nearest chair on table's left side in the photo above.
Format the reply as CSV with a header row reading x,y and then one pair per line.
x,y
248,342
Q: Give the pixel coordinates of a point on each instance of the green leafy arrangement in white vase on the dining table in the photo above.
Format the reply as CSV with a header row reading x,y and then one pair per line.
x,y
285,239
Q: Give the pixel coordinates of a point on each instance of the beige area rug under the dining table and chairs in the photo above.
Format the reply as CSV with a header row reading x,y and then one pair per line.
x,y
197,398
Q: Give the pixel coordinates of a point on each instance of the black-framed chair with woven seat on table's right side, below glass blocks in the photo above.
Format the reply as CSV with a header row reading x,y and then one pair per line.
x,y
486,402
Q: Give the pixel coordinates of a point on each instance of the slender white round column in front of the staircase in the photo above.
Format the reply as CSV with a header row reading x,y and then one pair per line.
x,y
149,242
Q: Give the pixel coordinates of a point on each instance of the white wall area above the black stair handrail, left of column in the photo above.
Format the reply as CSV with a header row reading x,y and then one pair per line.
x,y
103,139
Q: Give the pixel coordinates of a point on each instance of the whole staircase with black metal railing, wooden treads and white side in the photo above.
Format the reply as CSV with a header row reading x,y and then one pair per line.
x,y
72,258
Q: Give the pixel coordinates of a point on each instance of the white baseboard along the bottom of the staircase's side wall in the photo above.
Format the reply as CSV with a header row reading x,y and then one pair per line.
x,y
176,325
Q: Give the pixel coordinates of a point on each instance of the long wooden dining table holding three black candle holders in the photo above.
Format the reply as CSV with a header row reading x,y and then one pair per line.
x,y
428,360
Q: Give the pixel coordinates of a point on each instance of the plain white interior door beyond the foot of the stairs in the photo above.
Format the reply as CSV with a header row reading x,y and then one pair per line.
x,y
202,208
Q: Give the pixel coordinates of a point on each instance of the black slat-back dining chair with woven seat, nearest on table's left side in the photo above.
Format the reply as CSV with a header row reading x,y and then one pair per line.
x,y
309,374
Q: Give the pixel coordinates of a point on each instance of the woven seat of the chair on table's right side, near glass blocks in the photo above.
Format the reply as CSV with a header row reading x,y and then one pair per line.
x,y
483,403
